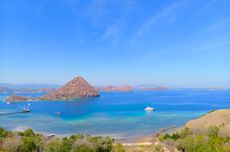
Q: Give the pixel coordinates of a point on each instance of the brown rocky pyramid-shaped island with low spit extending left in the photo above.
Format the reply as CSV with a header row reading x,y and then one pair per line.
x,y
76,88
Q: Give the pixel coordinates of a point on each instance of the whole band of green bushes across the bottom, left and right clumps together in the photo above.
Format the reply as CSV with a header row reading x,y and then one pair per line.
x,y
184,140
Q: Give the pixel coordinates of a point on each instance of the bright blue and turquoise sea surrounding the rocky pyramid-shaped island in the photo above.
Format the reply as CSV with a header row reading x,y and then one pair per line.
x,y
117,114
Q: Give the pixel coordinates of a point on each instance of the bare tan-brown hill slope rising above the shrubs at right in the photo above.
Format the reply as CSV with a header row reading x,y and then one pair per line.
x,y
219,118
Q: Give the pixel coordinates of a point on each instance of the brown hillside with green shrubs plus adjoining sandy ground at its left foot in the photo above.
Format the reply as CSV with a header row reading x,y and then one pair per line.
x,y
209,133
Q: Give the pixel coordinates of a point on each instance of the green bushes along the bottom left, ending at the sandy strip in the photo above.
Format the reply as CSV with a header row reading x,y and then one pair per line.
x,y
28,141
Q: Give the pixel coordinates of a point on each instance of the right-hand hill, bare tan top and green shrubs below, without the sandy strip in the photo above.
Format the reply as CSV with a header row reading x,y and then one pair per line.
x,y
209,133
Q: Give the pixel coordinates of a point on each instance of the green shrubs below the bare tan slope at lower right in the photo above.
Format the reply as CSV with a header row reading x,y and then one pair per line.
x,y
188,141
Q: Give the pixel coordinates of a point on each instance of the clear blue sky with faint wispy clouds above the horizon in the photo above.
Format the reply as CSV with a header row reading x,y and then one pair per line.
x,y
180,43
